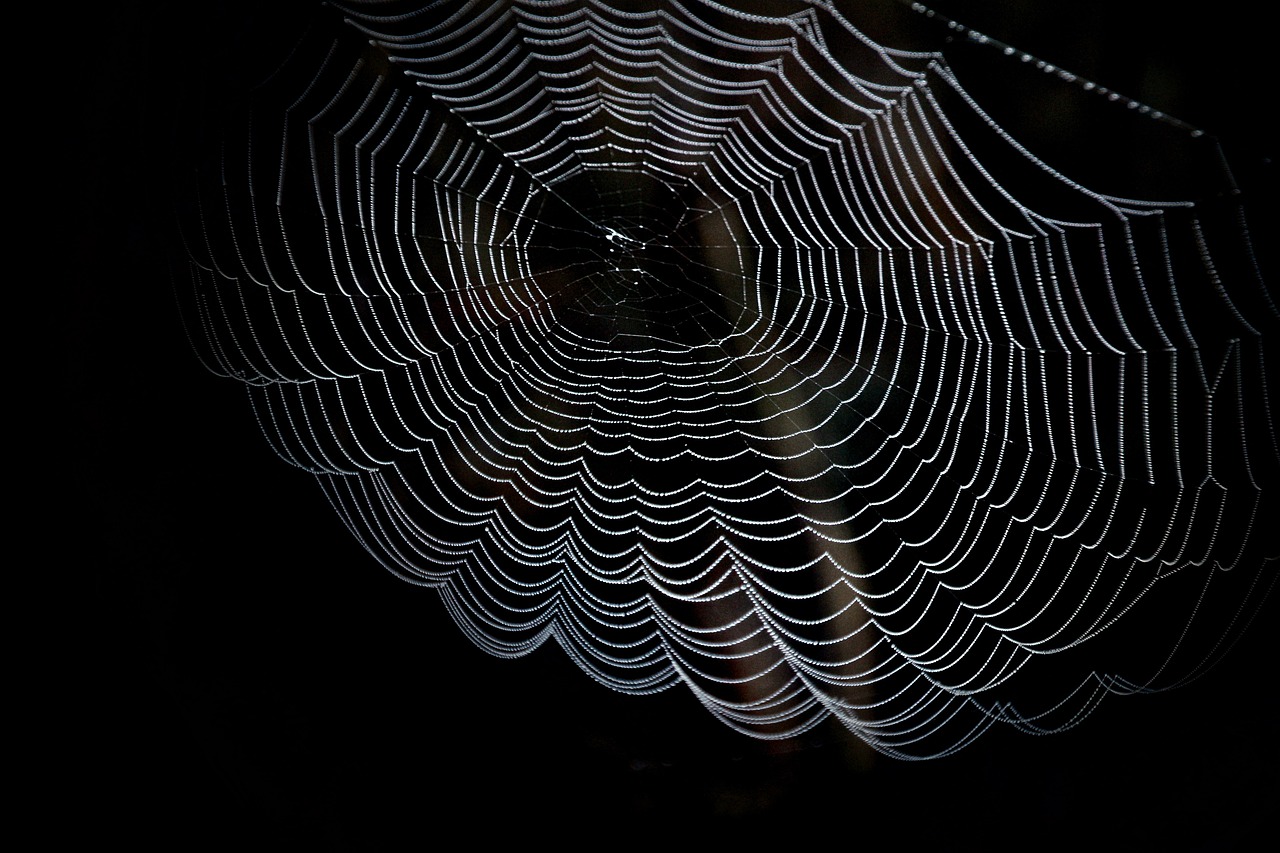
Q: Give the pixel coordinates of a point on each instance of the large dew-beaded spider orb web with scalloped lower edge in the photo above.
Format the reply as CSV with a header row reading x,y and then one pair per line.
x,y
734,350
